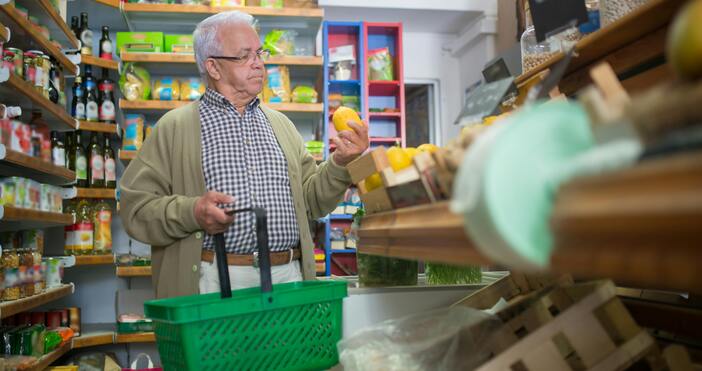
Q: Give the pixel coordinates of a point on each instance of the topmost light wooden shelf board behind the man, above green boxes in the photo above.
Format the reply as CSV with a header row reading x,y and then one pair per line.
x,y
204,9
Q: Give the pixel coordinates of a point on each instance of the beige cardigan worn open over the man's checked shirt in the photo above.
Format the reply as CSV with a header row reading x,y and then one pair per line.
x,y
161,185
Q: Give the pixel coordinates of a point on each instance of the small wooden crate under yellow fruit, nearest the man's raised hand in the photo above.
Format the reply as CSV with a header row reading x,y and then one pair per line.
x,y
414,185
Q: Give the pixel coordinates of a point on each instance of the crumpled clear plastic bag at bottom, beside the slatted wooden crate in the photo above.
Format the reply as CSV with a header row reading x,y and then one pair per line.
x,y
457,338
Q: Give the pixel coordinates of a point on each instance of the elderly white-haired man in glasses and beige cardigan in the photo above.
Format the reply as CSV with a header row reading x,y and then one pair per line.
x,y
230,151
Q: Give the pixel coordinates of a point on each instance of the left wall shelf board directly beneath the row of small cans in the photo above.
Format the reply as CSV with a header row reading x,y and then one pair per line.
x,y
21,219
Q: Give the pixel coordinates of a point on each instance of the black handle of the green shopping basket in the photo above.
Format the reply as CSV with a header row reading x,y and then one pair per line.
x,y
264,257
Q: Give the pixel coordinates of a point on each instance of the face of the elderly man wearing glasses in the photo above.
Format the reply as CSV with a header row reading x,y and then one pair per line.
x,y
246,76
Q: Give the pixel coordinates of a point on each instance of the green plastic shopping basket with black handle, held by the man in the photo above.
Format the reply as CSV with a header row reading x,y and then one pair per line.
x,y
291,326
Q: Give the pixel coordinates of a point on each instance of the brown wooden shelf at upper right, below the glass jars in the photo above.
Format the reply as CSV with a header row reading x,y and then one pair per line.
x,y
634,39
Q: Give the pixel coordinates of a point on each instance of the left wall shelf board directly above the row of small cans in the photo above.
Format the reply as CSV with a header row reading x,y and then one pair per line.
x,y
13,163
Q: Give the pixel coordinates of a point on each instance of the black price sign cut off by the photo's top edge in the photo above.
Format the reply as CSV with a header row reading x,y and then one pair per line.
x,y
553,16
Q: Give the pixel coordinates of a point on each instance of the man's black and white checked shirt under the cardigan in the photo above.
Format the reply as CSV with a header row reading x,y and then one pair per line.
x,y
241,157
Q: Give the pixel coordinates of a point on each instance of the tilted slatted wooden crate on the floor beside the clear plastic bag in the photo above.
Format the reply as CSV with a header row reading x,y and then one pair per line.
x,y
562,327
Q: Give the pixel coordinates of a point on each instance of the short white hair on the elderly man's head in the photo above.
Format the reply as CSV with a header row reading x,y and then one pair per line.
x,y
205,40
